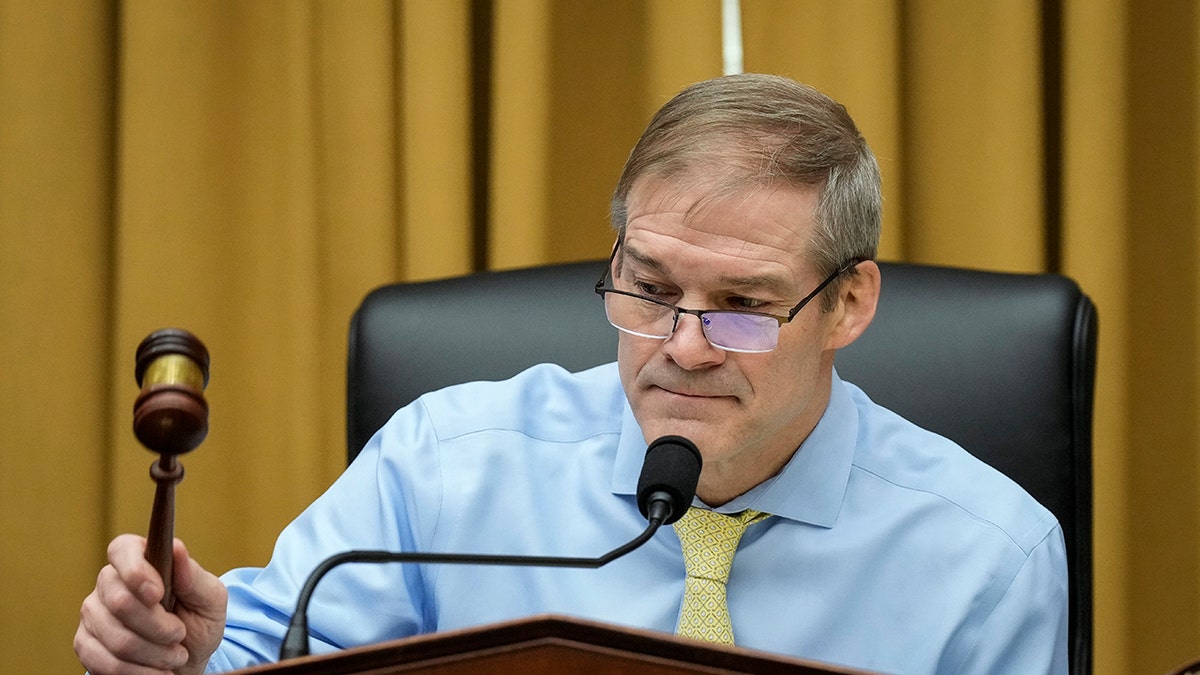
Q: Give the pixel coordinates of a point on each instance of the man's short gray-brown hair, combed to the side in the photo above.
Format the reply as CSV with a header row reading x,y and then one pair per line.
x,y
759,130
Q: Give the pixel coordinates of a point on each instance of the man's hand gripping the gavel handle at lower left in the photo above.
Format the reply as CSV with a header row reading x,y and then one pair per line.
x,y
124,629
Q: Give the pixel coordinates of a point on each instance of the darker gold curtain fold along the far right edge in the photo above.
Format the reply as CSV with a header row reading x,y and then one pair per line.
x,y
1163,320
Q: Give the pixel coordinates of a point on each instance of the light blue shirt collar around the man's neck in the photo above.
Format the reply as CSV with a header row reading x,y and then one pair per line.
x,y
812,486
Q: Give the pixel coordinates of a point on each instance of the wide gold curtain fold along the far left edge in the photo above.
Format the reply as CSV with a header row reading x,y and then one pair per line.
x,y
57,127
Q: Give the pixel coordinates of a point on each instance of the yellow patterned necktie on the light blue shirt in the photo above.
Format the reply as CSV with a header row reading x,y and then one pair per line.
x,y
710,541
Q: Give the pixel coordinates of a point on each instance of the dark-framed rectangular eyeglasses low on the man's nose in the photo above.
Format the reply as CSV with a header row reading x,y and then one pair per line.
x,y
731,331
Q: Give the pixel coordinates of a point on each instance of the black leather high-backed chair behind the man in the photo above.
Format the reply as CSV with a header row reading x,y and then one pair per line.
x,y
1001,363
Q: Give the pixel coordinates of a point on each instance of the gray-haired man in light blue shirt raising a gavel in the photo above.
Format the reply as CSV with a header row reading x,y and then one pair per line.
x,y
748,219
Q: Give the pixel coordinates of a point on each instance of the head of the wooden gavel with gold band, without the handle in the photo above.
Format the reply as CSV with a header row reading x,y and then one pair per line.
x,y
171,416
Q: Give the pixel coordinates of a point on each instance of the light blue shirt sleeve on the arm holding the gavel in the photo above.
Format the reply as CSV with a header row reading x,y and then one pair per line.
x,y
368,509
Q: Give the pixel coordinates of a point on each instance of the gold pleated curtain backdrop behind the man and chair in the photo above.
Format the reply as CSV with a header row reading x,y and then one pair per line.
x,y
250,170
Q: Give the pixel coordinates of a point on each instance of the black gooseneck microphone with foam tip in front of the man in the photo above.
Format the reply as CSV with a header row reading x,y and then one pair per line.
x,y
665,491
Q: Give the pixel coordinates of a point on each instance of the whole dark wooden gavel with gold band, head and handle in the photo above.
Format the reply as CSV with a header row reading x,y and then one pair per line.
x,y
171,417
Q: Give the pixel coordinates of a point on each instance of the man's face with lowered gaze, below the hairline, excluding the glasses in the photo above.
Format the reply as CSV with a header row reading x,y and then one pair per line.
x,y
747,413
